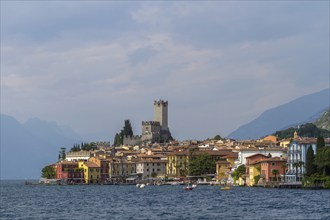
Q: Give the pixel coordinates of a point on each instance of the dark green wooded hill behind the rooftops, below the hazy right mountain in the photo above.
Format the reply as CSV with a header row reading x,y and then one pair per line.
x,y
306,130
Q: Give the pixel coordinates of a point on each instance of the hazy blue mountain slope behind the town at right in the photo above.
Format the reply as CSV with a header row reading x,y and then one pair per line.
x,y
284,116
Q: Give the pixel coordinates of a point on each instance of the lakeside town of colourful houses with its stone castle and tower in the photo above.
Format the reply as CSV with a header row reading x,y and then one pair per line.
x,y
154,157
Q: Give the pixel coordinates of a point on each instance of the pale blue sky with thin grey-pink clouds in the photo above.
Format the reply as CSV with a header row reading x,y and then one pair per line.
x,y
220,64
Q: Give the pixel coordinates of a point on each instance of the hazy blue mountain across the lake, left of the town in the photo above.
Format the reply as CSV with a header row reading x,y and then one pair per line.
x,y
27,148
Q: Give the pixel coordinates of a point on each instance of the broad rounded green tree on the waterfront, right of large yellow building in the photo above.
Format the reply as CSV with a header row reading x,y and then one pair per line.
x,y
202,164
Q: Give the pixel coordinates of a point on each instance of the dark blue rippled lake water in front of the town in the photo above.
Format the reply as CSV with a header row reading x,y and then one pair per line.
x,y
19,201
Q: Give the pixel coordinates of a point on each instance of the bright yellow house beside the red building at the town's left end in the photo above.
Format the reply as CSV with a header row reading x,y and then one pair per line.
x,y
92,172
